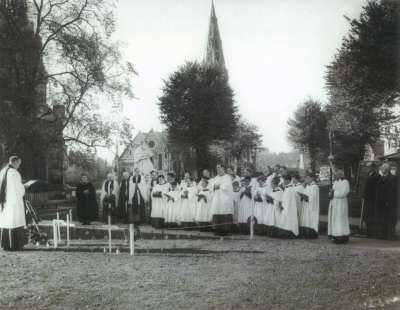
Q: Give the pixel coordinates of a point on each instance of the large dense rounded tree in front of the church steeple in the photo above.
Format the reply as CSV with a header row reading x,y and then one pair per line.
x,y
197,106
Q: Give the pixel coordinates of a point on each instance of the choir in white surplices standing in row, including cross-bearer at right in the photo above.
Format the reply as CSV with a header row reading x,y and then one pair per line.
x,y
280,205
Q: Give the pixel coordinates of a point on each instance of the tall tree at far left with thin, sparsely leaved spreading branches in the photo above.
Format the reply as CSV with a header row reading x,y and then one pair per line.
x,y
59,50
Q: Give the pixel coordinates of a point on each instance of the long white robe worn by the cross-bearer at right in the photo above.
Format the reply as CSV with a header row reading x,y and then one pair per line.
x,y
338,217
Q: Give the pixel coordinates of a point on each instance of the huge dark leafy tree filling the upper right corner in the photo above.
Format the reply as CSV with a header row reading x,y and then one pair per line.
x,y
363,80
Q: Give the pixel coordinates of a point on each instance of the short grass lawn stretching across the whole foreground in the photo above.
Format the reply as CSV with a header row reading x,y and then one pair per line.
x,y
206,274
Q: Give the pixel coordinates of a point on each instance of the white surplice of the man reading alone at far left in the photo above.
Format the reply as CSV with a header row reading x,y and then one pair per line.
x,y
13,213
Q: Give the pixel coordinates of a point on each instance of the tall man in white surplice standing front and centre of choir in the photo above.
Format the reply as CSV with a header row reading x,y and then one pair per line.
x,y
222,202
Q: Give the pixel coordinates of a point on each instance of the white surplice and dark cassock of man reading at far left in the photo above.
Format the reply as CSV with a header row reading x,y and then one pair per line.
x,y
12,210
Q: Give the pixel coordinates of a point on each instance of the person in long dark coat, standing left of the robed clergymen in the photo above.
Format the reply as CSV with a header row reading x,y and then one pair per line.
x,y
87,208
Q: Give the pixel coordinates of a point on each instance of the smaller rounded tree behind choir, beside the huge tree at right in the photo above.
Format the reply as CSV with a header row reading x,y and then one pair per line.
x,y
308,131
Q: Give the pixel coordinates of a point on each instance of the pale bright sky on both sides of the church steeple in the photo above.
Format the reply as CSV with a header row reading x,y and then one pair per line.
x,y
276,52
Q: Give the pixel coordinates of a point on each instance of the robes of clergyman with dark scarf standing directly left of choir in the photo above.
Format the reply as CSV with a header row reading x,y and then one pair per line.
x,y
137,199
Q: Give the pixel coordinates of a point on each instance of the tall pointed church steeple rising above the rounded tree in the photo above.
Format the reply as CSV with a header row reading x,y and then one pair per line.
x,y
215,54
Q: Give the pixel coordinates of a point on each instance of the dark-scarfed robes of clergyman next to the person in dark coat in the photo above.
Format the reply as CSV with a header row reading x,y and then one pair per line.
x,y
108,198
